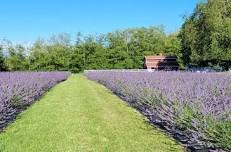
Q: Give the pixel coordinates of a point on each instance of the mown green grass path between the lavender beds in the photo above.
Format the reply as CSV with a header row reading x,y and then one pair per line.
x,y
81,115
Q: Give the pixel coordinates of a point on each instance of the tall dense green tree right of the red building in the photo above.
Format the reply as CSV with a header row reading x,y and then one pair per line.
x,y
206,35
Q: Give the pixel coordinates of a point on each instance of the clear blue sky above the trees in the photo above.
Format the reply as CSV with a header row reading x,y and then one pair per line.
x,y
26,20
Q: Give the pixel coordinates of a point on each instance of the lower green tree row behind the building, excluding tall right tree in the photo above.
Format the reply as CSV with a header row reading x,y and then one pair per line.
x,y
122,49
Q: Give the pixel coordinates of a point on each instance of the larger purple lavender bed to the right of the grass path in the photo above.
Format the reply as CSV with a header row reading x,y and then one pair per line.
x,y
193,107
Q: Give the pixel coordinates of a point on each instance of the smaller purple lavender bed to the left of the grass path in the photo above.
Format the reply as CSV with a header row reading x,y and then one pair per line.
x,y
20,89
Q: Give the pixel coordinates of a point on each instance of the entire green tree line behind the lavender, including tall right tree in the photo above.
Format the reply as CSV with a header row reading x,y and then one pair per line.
x,y
203,40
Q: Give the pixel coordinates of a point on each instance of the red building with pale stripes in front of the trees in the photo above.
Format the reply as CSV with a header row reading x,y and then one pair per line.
x,y
161,62
